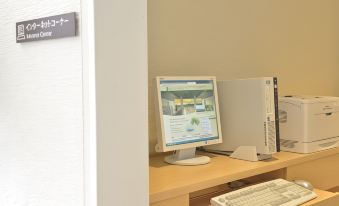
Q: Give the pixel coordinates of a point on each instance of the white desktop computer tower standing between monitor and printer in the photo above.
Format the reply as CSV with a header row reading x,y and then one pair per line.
x,y
249,116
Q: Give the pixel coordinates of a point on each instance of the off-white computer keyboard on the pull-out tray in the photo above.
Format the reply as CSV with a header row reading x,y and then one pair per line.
x,y
277,192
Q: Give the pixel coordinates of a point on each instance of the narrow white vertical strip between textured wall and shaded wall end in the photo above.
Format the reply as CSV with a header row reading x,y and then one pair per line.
x,y
89,102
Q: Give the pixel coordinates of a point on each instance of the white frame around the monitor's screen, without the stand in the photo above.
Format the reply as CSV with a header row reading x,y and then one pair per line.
x,y
161,144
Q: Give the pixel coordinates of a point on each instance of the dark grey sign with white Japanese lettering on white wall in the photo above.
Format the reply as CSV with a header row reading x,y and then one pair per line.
x,y
52,27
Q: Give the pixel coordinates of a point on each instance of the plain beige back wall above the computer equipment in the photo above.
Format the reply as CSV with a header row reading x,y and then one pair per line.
x,y
295,40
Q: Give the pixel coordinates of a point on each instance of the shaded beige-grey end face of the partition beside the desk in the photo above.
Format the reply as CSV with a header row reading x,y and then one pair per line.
x,y
121,86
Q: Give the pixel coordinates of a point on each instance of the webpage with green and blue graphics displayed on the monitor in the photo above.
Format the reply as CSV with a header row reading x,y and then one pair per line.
x,y
188,111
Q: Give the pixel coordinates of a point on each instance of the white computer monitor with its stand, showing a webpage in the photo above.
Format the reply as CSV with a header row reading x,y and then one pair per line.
x,y
187,117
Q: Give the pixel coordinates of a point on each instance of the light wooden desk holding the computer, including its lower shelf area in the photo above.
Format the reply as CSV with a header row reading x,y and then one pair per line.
x,y
190,185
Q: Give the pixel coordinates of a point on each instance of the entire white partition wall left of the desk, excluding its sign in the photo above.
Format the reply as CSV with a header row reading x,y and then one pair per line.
x,y
66,104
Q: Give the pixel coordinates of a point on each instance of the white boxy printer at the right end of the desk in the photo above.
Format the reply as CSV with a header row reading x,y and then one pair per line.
x,y
308,123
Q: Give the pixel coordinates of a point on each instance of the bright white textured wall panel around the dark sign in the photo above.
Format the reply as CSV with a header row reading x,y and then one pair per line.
x,y
41,113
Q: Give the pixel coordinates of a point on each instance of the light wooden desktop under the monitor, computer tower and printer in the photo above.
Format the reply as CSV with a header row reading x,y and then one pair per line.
x,y
168,181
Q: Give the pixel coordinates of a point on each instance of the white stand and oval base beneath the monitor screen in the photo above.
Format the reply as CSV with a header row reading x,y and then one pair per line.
x,y
187,157
